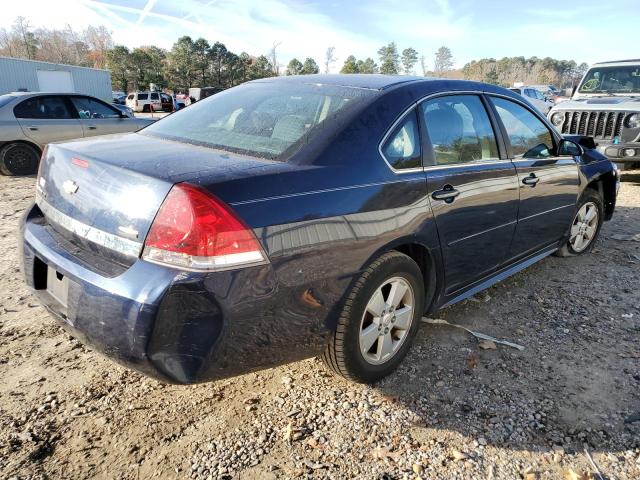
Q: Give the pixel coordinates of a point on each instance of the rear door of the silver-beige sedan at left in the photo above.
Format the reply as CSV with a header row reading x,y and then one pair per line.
x,y
47,118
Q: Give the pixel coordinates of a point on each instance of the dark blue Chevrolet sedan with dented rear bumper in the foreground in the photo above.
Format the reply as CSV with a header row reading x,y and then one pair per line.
x,y
301,216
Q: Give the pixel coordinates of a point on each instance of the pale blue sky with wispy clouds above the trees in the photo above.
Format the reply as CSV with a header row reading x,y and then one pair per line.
x,y
590,31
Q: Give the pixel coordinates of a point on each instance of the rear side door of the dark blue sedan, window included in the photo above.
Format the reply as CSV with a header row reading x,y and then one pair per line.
x,y
472,186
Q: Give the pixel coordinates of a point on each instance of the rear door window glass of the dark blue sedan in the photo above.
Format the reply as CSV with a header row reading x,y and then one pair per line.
x,y
459,129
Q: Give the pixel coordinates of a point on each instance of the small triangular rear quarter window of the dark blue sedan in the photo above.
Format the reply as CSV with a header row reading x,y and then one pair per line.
x,y
402,147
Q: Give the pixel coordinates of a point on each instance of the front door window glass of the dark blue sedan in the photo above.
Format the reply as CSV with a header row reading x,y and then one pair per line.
x,y
529,136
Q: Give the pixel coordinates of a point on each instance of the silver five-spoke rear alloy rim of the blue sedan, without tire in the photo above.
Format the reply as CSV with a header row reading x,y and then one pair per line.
x,y
386,320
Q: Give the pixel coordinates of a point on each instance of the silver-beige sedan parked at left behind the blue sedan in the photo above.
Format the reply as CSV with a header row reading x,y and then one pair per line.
x,y
28,121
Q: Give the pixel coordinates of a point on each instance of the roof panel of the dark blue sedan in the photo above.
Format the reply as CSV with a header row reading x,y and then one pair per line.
x,y
353,80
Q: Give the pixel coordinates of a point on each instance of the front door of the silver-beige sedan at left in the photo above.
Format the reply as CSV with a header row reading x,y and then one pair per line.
x,y
98,118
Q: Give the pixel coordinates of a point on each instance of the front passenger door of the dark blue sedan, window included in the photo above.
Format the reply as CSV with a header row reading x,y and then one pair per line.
x,y
548,183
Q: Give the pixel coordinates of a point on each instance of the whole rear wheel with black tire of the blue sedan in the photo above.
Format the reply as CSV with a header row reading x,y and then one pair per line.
x,y
379,320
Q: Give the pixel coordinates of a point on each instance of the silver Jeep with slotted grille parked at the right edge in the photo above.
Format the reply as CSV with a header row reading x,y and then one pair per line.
x,y
605,106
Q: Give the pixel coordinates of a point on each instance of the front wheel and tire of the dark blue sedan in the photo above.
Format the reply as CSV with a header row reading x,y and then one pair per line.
x,y
586,225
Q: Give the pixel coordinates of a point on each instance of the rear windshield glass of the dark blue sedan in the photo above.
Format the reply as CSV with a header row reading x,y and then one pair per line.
x,y
263,119
